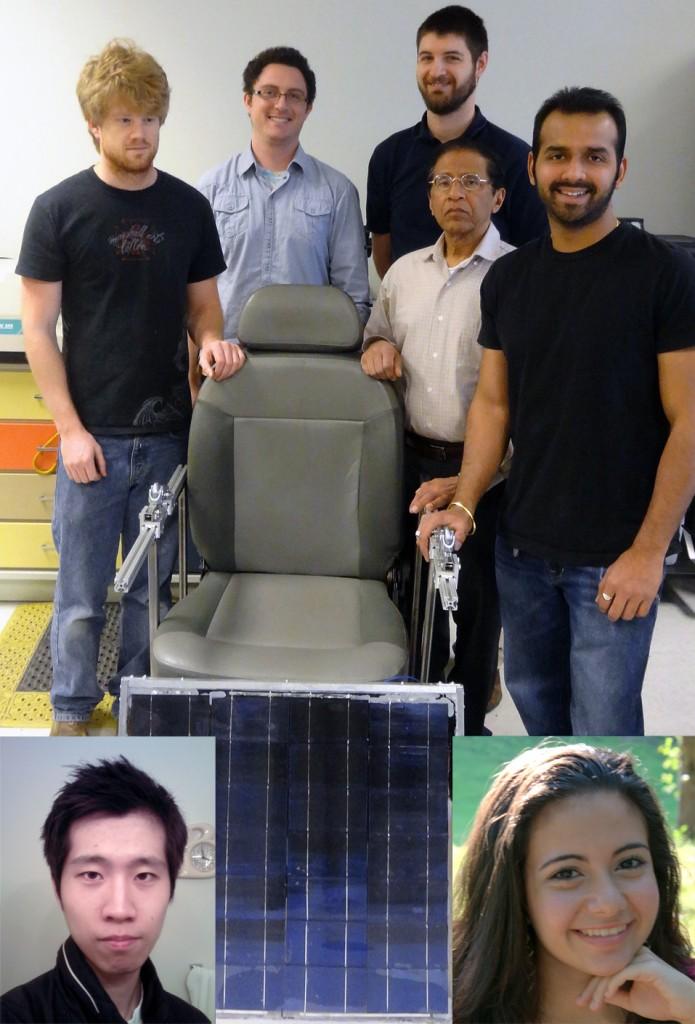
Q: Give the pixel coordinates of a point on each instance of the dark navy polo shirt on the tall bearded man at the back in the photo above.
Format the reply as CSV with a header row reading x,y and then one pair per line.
x,y
397,191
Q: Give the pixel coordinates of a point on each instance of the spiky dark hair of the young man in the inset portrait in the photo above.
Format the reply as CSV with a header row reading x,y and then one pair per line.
x,y
115,788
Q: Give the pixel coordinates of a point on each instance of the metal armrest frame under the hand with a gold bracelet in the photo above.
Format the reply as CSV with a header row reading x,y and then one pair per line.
x,y
444,577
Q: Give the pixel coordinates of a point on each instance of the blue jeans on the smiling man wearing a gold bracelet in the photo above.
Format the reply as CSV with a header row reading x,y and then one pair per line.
x,y
572,671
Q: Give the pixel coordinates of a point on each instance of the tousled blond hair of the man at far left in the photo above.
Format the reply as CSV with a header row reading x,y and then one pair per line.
x,y
122,70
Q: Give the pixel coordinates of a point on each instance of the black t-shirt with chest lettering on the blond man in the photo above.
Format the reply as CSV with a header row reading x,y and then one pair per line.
x,y
125,260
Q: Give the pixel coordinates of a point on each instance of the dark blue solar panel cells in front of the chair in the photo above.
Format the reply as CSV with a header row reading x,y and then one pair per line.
x,y
333,848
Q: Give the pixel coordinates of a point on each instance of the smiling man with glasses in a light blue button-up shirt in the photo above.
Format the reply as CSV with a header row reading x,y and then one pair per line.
x,y
283,217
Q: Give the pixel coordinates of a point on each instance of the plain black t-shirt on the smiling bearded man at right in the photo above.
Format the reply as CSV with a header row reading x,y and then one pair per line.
x,y
581,333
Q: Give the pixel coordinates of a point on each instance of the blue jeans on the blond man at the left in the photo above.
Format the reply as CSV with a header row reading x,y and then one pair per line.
x,y
89,522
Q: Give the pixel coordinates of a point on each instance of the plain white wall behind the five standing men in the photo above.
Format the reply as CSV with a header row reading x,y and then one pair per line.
x,y
364,55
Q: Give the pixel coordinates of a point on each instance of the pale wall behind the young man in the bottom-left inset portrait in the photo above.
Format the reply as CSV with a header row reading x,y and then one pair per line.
x,y
32,927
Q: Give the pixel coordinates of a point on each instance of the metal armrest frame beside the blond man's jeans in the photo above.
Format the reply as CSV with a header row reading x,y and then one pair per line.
x,y
162,502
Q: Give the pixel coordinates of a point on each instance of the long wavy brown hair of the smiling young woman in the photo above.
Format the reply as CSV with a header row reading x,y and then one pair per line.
x,y
495,979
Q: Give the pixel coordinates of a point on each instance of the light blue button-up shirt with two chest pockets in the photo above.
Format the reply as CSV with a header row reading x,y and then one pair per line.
x,y
307,232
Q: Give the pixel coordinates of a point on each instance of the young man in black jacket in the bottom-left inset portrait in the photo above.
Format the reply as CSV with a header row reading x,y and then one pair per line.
x,y
114,841
